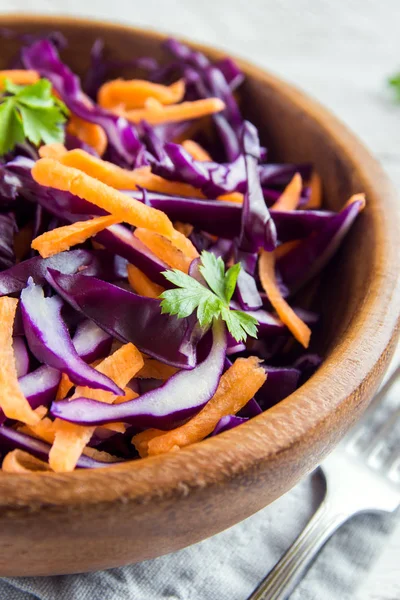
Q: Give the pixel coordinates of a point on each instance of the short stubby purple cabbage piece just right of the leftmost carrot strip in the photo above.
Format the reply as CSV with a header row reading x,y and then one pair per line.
x,y
40,386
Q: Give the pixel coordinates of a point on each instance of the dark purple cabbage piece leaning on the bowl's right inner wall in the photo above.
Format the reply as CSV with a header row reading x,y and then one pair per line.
x,y
306,260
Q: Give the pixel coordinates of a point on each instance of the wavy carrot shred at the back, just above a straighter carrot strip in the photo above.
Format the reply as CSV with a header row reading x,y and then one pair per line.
x,y
133,93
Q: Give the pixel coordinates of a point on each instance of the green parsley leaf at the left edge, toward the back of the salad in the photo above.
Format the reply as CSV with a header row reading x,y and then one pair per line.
x,y
30,112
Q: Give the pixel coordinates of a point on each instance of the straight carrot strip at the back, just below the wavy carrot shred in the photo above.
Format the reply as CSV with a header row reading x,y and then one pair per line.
x,y
156,114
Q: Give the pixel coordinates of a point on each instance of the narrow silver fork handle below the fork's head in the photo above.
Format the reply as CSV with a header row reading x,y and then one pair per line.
x,y
287,573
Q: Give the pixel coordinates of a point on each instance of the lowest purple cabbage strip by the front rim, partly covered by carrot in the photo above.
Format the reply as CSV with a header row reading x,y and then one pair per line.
x,y
10,439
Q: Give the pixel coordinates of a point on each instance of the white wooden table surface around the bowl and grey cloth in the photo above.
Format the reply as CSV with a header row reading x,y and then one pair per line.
x,y
340,51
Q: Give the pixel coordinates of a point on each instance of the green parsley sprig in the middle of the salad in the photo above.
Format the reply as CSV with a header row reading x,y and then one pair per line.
x,y
211,302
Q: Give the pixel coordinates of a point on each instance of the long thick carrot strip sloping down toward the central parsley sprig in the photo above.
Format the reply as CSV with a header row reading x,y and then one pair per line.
x,y
50,172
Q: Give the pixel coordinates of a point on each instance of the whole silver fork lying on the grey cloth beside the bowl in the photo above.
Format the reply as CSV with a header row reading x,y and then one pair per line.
x,y
362,475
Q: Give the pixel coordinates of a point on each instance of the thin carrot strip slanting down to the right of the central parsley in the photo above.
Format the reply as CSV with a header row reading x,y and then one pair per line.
x,y
299,329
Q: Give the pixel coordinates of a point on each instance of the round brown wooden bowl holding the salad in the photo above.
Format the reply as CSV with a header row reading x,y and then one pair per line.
x,y
86,520
